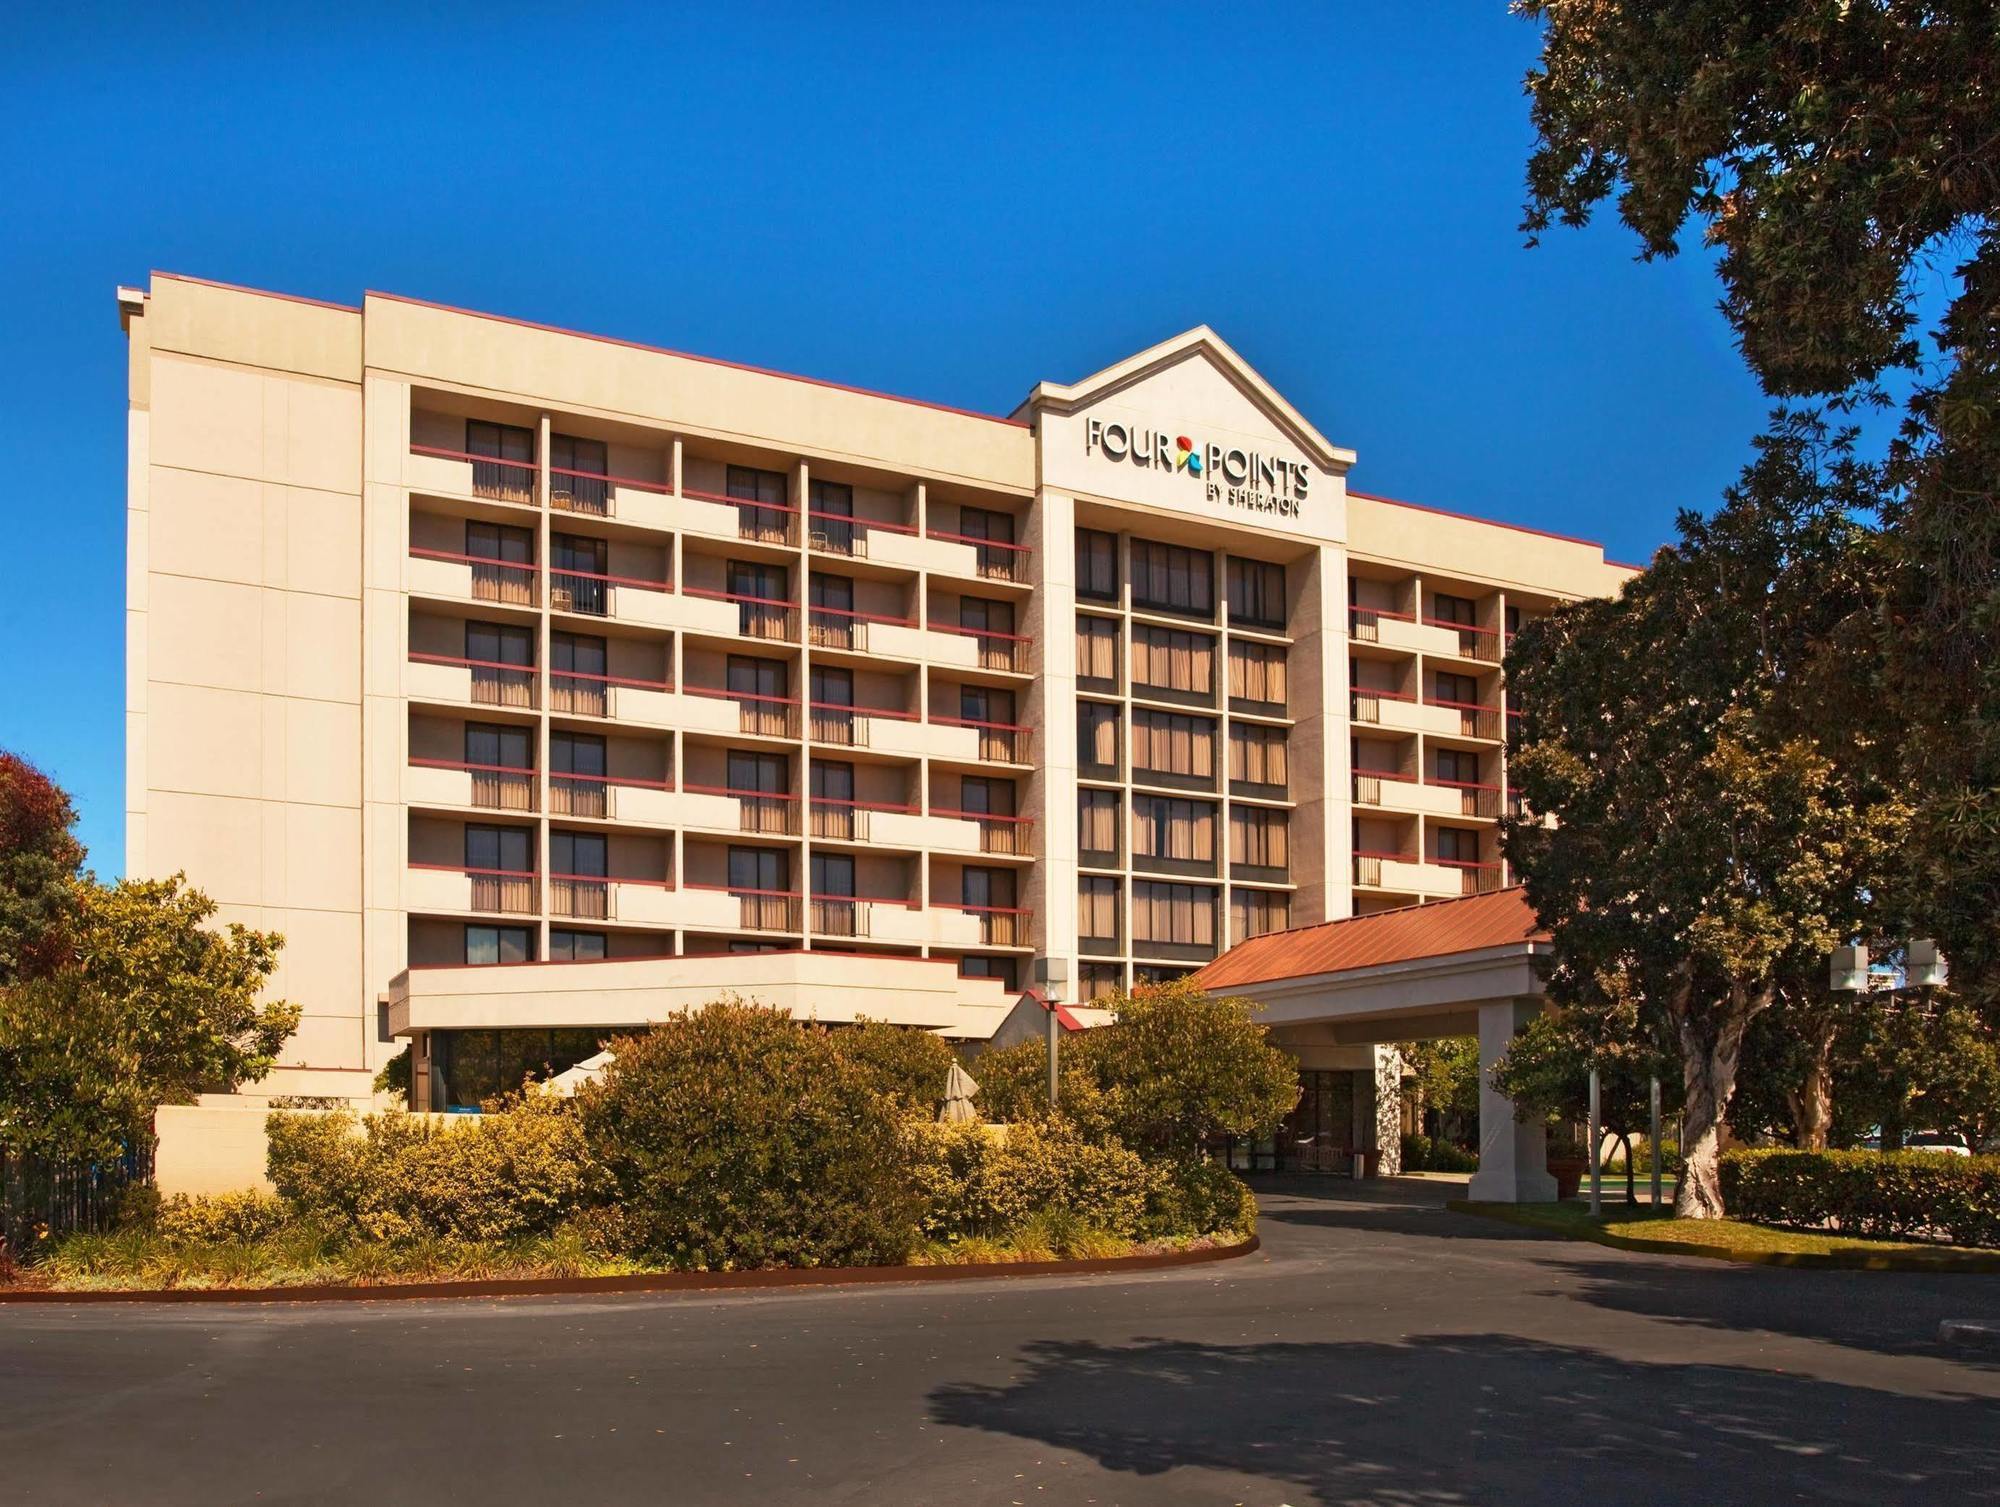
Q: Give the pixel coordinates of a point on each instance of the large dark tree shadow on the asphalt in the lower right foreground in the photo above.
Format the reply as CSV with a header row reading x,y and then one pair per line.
x,y
1487,1418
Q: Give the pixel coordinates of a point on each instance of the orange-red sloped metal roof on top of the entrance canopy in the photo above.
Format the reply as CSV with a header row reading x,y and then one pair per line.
x,y
1401,936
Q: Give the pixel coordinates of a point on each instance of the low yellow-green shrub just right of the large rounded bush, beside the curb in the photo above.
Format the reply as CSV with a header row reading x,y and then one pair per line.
x,y
985,1186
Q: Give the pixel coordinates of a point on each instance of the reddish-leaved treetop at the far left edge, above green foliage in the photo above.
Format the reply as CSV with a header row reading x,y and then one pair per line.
x,y
39,862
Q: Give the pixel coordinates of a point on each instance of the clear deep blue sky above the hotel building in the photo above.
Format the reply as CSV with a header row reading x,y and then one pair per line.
x,y
939,201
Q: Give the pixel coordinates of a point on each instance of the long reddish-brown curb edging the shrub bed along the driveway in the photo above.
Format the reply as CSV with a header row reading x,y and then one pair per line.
x,y
653,1282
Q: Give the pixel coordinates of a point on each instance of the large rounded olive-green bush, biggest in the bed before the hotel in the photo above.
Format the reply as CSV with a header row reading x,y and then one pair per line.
x,y
741,1138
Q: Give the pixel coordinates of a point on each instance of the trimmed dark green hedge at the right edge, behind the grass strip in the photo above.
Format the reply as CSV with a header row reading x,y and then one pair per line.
x,y
1897,1194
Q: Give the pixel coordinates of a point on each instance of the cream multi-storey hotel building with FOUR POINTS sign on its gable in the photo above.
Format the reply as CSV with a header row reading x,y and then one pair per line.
x,y
535,685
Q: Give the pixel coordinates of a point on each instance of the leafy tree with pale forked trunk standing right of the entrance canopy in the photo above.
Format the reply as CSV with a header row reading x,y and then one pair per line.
x,y
1705,850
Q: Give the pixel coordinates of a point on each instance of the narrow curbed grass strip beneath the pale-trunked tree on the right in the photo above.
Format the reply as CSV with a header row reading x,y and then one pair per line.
x,y
1731,1238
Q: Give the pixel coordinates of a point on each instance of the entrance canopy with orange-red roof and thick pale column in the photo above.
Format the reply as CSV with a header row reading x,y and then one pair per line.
x,y
1453,968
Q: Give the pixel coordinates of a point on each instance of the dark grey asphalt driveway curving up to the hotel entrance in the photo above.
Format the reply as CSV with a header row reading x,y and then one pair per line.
x,y
1379,1350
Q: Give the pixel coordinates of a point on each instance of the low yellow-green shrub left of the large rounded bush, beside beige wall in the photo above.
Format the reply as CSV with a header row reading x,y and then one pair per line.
x,y
469,1178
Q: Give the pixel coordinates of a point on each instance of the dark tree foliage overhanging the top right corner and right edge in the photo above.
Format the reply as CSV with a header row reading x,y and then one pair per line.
x,y
1839,157
